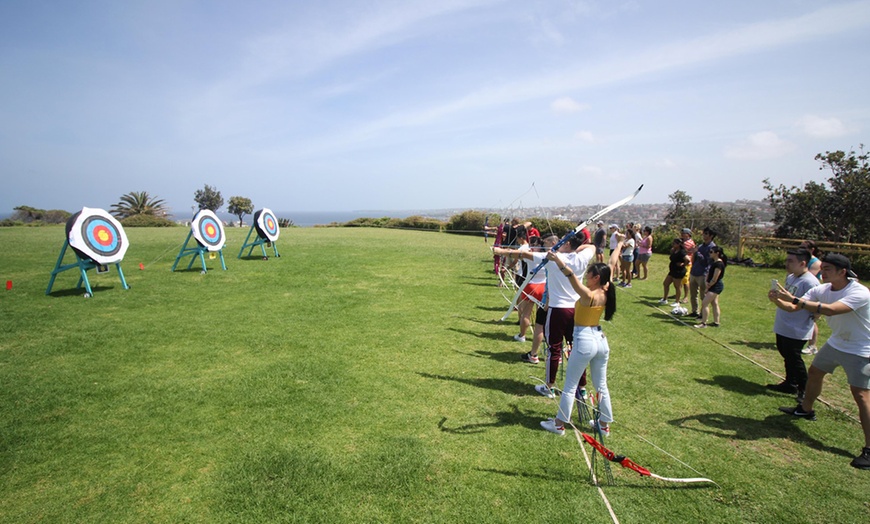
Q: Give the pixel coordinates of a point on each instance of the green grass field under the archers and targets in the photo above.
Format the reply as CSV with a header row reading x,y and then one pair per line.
x,y
363,376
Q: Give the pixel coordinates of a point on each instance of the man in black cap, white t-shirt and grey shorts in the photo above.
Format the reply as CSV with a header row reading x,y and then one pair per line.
x,y
846,303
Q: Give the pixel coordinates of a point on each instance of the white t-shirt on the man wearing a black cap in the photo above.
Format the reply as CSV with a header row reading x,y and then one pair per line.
x,y
850,332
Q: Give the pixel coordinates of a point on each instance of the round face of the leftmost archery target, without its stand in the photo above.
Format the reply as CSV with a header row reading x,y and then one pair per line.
x,y
96,235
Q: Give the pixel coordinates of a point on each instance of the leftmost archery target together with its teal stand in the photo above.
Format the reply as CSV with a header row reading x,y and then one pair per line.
x,y
97,240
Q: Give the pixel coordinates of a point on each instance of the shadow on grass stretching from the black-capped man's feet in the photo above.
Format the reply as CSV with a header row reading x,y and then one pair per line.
x,y
740,428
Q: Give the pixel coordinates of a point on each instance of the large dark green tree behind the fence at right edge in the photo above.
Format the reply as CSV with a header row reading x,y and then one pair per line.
x,y
839,213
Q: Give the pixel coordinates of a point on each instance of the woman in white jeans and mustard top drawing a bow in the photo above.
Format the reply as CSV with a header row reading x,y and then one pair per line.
x,y
597,297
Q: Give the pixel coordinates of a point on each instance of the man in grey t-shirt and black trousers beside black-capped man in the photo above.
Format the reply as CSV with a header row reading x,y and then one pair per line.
x,y
794,328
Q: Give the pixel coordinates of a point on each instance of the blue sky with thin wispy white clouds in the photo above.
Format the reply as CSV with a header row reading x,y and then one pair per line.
x,y
394,105
